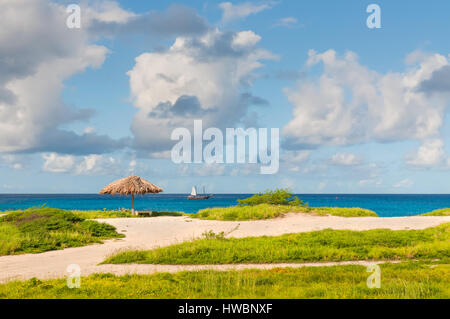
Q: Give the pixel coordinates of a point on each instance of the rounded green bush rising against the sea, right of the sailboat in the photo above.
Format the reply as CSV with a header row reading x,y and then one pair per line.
x,y
275,197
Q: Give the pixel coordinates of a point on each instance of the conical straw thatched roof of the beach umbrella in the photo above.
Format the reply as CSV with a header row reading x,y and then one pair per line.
x,y
131,185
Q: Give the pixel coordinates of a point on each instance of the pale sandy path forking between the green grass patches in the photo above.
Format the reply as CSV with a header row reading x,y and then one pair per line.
x,y
148,233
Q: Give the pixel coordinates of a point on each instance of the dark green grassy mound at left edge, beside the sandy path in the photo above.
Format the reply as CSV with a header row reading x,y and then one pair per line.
x,y
38,230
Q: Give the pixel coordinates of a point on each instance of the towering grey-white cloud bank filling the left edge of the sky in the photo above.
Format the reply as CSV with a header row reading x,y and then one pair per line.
x,y
36,58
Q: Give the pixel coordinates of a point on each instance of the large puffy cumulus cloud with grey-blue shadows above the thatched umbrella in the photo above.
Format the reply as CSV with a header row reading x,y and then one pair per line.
x,y
201,77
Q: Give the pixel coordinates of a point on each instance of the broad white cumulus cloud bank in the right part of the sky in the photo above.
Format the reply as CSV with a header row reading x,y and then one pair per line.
x,y
349,103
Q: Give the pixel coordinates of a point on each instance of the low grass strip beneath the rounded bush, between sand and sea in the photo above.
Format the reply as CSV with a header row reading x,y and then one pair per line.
x,y
266,211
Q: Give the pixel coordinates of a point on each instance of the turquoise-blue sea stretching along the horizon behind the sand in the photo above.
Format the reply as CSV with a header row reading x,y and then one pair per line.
x,y
384,205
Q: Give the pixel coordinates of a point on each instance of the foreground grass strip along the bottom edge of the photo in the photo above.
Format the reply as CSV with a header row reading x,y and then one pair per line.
x,y
404,280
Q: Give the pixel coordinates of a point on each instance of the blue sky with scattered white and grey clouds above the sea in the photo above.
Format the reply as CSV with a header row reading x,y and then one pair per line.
x,y
359,109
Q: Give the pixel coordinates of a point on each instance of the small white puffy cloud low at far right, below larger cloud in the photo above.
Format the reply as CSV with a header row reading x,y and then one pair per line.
x,y
430,153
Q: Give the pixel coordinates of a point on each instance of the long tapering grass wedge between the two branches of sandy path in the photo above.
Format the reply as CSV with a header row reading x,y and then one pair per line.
x,y
317,246
